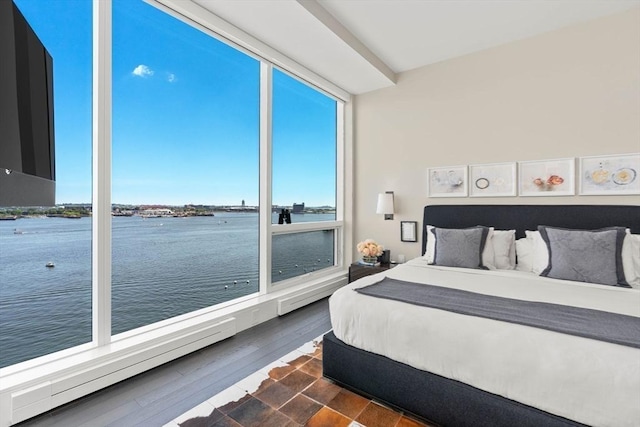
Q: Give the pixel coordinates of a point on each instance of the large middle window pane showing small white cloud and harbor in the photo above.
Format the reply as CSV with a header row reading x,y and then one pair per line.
x,y
185,168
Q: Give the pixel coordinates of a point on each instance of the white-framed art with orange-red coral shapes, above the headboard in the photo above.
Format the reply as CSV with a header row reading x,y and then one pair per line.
x,y
544,178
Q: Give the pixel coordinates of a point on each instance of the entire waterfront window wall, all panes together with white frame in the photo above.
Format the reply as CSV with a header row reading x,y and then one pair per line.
x,y
201,132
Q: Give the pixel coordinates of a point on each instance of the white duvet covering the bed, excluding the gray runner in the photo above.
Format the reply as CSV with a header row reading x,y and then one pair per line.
x,y
589,381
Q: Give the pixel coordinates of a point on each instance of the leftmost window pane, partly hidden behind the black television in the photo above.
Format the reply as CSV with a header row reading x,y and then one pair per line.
x,y
44,309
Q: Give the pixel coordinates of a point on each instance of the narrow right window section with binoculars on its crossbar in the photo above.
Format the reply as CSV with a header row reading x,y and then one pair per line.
x,y
304,179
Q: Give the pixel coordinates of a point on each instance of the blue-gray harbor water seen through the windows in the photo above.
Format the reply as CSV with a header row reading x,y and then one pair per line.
x,y
161,268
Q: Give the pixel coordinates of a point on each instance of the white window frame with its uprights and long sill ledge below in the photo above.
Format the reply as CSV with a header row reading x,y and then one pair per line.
x,y
111,358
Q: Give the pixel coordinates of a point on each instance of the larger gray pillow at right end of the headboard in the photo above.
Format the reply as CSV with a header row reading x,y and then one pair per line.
x,y
593,256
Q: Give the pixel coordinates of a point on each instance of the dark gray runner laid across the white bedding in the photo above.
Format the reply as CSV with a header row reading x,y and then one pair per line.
x,y
595,324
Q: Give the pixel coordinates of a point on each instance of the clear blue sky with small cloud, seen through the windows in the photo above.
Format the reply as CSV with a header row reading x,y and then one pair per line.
x,y
185,114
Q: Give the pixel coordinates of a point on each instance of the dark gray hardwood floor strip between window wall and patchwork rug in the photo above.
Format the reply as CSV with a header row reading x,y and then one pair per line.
x,y
156,397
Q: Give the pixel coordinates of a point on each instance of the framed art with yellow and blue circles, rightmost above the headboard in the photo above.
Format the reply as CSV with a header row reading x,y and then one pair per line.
x,y
609,175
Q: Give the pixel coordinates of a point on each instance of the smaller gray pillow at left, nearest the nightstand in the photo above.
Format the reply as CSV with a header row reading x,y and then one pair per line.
x,y
460,247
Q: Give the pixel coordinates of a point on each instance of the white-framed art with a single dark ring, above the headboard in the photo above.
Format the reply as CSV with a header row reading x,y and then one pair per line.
x,y
493,180
